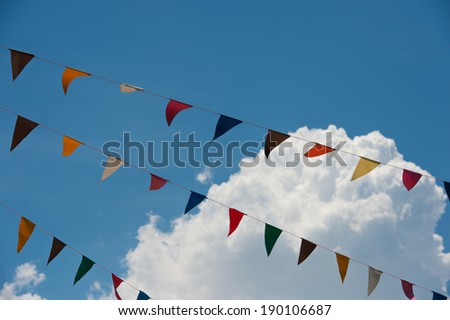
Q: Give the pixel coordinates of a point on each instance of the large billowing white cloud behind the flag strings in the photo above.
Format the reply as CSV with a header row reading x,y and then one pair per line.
x,y
373,220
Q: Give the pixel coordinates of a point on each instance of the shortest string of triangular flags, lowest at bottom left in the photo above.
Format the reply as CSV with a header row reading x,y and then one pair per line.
x,y
26,228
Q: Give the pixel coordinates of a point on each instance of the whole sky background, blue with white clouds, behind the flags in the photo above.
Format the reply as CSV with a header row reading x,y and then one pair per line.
x,y
374,73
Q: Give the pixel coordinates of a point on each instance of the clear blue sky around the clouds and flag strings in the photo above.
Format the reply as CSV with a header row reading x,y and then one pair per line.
x,y
360,65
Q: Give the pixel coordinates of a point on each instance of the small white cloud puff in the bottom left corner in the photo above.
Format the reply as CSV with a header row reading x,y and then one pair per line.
x,y
25,280
